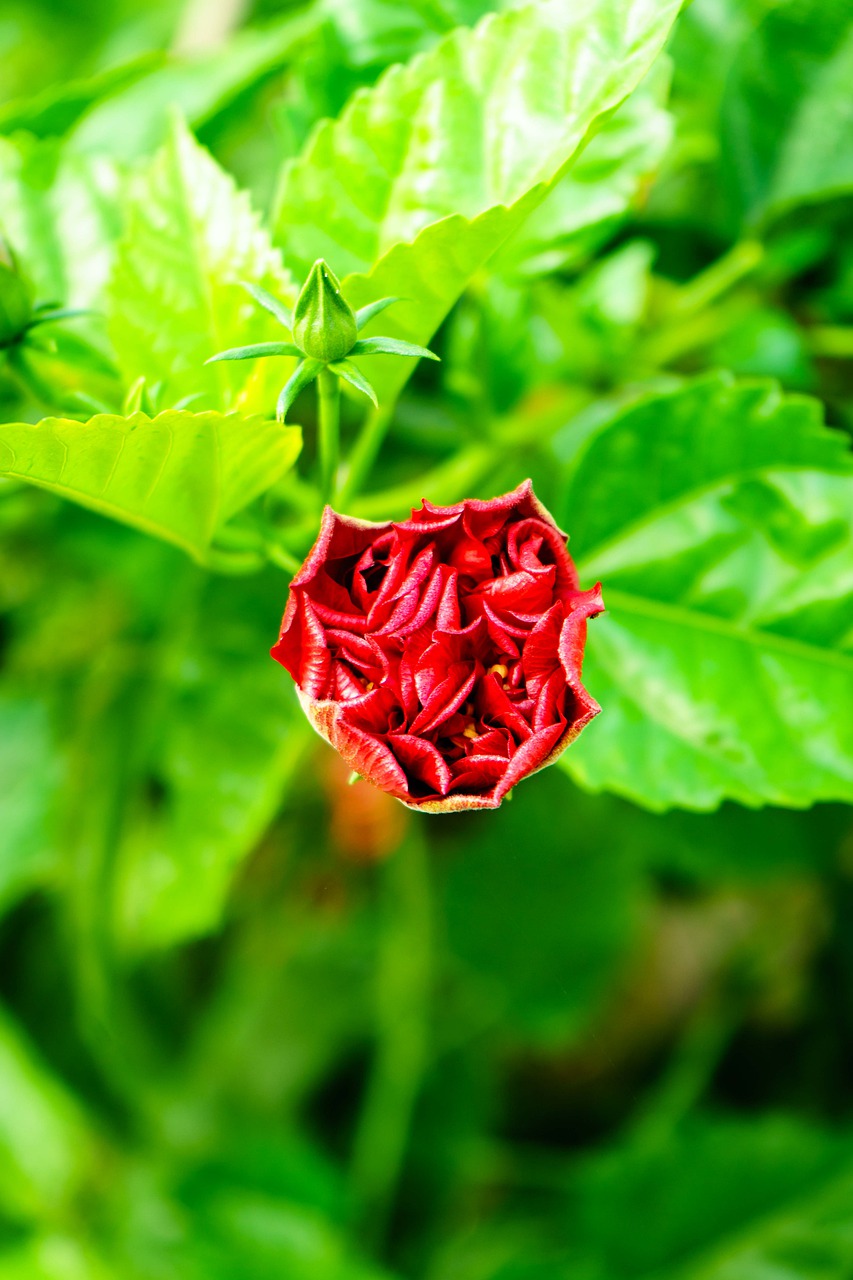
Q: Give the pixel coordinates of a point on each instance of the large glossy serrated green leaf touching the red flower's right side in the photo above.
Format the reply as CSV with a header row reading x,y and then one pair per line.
x,y
720,519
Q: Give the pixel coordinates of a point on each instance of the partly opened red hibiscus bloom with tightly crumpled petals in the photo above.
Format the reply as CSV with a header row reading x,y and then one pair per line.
x,y
441,656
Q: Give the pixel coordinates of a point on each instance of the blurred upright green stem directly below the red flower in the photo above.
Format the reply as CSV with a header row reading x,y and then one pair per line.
x,y
403,1007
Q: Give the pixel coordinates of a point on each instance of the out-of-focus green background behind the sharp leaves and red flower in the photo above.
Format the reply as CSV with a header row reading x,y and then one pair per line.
x,y
257,1023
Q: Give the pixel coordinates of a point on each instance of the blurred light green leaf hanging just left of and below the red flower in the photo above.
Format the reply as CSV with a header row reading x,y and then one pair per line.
x,y
227,738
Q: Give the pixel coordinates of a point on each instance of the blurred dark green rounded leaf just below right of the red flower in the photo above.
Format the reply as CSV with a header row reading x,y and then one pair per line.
x,y
562,885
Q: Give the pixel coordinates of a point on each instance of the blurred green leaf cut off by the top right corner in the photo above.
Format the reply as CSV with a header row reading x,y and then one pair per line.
x,y
788,111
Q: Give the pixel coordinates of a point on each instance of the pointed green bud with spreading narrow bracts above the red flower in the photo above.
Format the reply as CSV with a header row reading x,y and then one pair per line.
x,y
325,332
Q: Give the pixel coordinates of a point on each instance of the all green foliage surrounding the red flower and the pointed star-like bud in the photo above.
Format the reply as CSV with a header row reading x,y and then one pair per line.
x,y
254,1022
